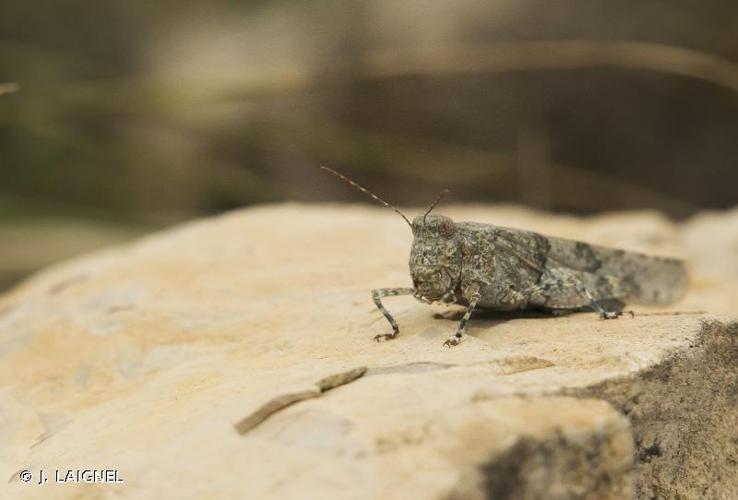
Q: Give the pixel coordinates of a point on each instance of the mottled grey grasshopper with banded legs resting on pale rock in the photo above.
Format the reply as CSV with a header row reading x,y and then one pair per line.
x,y
496,268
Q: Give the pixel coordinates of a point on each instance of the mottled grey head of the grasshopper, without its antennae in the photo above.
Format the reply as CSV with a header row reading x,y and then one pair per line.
x,y
435,257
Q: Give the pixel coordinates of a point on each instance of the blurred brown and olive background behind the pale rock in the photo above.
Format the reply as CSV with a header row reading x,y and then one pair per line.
x,y
117,118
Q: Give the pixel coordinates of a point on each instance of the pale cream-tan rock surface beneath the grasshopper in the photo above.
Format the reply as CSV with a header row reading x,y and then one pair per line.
x,y
143,358
